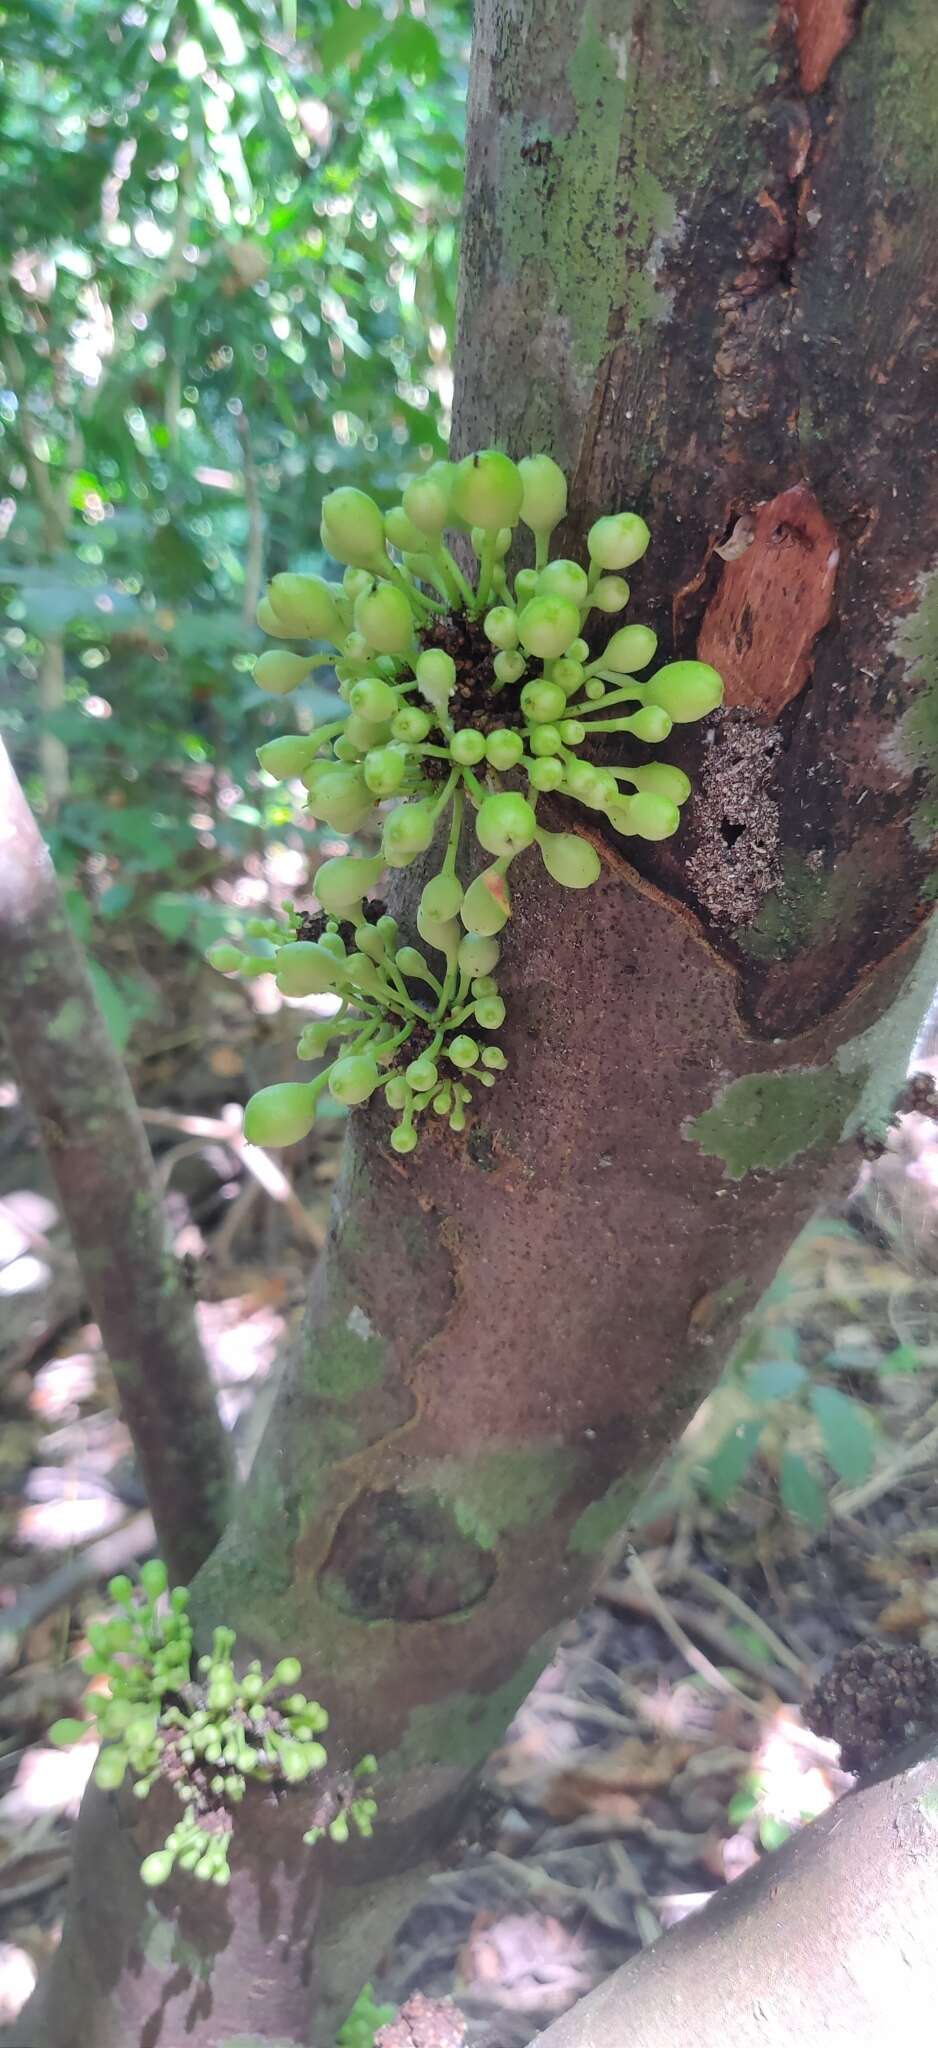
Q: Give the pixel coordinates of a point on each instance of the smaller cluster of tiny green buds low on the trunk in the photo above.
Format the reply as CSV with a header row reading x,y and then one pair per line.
x,y
204,1730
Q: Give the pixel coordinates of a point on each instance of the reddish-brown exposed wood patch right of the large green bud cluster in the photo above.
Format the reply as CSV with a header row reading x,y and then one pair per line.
x,y
773,603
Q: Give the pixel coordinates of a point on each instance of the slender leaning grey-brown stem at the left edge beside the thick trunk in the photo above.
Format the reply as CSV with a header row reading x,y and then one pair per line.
x,y
97,1148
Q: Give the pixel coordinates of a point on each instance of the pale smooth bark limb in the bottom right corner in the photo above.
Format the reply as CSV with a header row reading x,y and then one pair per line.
x,y
828,1940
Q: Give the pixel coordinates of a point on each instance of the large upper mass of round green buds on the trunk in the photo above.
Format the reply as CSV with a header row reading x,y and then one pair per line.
x,y
452,685
